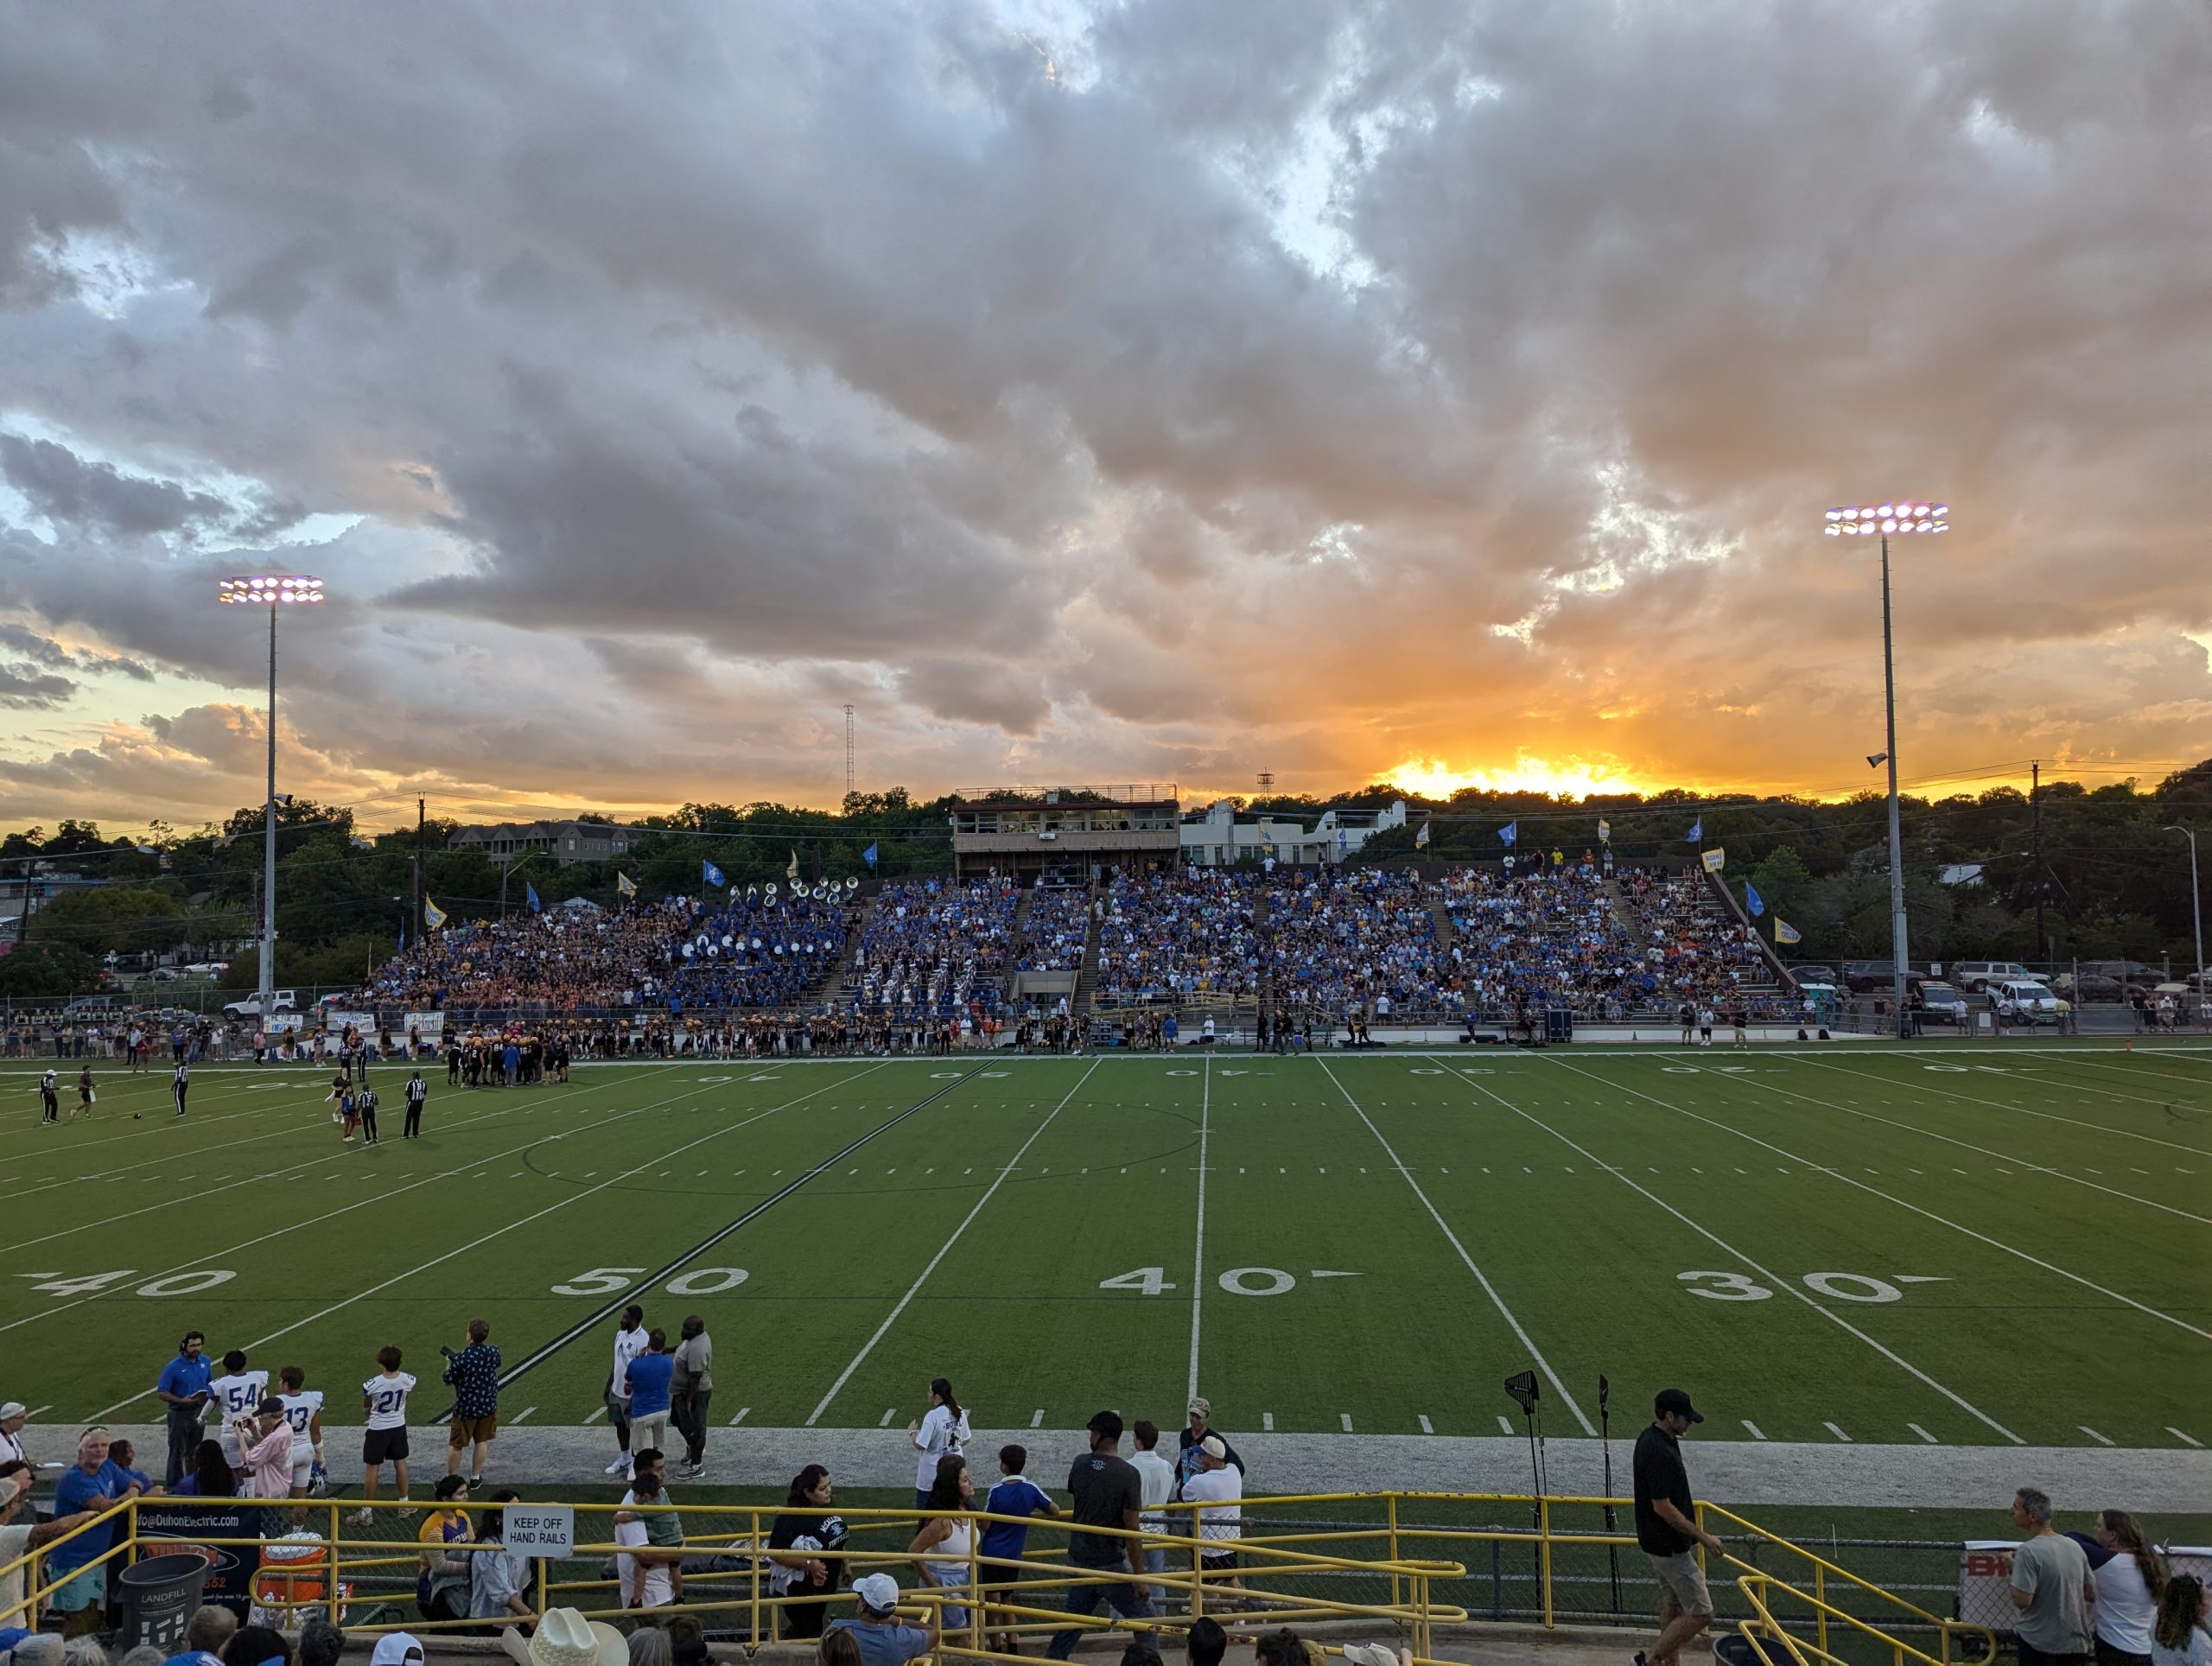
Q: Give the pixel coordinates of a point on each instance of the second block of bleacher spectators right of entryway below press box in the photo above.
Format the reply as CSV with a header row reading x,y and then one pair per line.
x,y
1361,941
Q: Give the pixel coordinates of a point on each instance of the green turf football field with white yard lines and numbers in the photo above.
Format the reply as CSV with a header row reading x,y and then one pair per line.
x,y
1948,1245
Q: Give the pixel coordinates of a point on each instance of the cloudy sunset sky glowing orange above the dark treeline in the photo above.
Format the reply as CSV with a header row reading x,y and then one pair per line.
x,y
1149,393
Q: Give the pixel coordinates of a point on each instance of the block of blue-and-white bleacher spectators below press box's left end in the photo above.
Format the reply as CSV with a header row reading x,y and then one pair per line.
x,y
935,948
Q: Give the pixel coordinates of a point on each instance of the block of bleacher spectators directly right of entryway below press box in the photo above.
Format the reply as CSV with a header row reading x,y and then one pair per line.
x,y
1178,935
